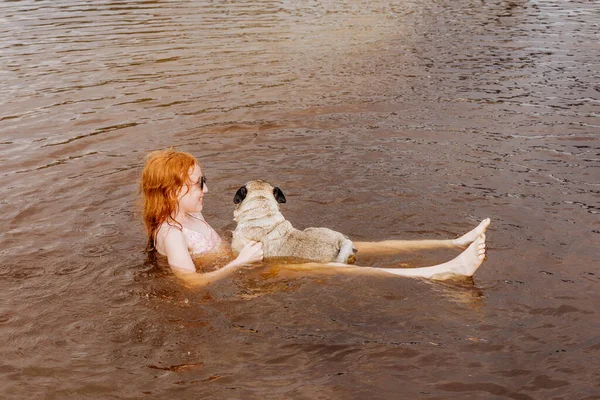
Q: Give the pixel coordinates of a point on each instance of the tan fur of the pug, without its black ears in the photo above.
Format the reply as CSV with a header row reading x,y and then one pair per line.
x,y
258,218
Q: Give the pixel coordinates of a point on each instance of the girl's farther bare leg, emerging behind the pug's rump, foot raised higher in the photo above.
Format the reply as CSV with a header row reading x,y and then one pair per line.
x,y
397,246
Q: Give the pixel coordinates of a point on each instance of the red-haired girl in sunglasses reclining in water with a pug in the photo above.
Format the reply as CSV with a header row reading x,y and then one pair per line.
x,y
173,189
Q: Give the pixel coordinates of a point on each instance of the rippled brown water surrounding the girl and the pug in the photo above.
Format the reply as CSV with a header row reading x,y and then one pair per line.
x,y
408,119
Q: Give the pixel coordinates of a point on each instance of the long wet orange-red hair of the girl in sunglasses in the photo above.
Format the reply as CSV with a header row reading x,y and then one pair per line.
x,y
165,173
